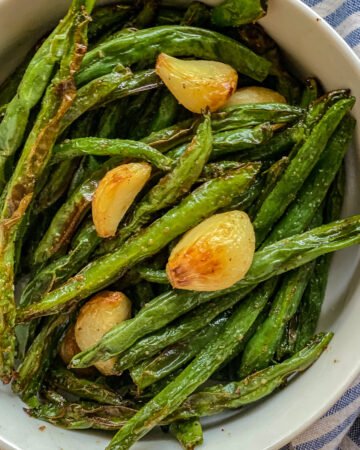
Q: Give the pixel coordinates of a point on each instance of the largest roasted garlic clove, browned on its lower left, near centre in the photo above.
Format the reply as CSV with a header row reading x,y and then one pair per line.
x,y
214,255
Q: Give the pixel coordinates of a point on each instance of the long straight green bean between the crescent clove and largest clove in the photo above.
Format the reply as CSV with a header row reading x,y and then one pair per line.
x,y
200,204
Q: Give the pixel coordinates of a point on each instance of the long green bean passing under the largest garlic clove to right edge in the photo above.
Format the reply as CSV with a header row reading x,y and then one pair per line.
x,y
273,260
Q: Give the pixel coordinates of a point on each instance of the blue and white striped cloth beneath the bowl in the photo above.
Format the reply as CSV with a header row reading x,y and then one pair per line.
x,y
339,428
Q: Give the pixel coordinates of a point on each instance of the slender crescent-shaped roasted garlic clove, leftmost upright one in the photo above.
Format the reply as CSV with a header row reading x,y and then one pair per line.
x,y
115,194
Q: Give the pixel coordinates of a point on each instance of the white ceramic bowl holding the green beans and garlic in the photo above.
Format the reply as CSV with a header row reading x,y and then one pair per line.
x,y
316,50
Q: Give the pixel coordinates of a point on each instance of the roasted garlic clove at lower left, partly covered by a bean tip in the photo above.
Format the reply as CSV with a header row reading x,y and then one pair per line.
x,y
101,313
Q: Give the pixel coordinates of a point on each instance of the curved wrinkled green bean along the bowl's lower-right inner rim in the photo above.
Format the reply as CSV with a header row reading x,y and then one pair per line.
x,y
215,399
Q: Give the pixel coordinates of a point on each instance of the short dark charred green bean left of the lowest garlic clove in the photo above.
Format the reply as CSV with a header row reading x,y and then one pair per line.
x,y
38,358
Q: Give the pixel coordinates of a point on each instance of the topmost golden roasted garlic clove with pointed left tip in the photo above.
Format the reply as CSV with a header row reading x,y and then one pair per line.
x,y
198,85
